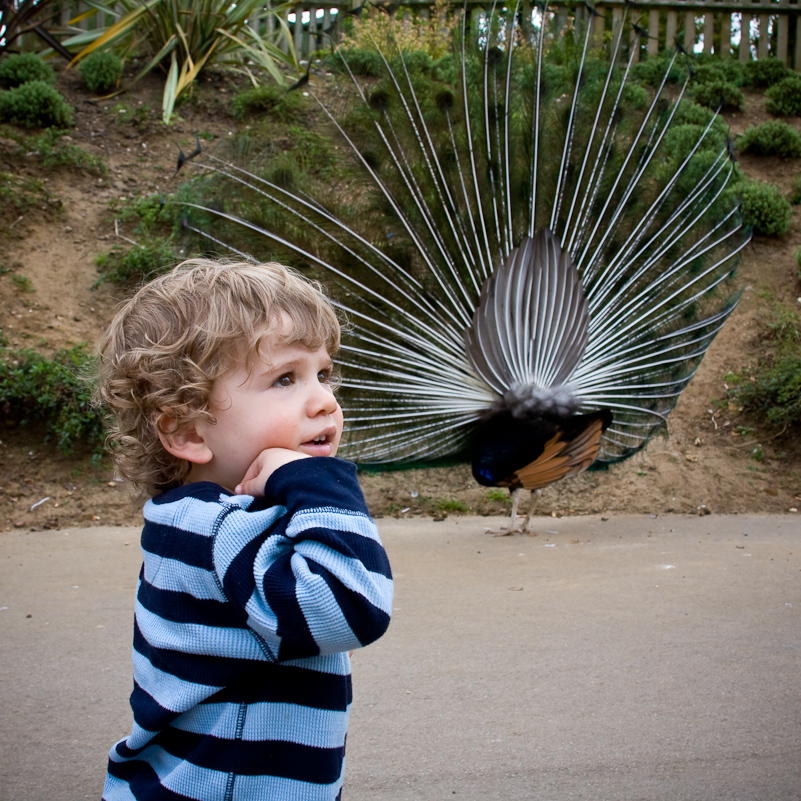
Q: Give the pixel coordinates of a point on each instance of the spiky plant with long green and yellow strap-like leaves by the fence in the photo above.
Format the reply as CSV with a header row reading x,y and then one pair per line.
x,y
184,37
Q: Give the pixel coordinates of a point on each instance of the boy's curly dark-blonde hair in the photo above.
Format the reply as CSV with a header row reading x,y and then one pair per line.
x,y
178,334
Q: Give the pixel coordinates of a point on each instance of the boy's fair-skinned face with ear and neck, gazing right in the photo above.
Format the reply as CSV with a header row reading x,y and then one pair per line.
x,y
285,401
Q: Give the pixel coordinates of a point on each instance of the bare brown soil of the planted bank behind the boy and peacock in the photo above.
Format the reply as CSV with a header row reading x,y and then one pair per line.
x,y
711,460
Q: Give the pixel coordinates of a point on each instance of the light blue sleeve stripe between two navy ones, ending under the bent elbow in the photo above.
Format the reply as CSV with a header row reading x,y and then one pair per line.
x,y
324,617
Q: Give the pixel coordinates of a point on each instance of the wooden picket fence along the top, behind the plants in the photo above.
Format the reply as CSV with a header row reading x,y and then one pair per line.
x,y
746,30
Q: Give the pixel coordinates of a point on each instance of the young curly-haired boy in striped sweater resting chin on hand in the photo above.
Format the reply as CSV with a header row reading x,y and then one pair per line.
x,y
262,567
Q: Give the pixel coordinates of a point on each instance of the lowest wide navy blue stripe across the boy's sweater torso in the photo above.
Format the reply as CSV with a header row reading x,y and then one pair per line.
x,y
247,758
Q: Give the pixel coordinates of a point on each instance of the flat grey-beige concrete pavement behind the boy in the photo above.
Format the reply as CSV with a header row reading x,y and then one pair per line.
x,y
634,658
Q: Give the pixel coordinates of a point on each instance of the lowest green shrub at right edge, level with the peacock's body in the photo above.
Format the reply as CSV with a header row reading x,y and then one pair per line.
x,y
773,389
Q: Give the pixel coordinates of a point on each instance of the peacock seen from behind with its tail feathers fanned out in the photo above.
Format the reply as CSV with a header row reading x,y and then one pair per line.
x,y
535,254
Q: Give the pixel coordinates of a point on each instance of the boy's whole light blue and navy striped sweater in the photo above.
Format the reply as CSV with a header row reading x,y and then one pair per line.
x,y
245,612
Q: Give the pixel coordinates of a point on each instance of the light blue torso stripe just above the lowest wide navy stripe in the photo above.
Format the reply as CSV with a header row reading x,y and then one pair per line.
x,y
289,723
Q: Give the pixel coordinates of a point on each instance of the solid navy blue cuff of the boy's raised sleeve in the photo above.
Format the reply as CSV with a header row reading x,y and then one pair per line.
x,y
316,482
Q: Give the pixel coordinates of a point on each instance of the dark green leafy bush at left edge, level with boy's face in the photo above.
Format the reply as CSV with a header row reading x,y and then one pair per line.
x,y
54,391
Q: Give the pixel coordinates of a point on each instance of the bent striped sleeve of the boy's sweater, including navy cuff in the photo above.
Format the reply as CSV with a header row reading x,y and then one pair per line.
x,y
309,571
